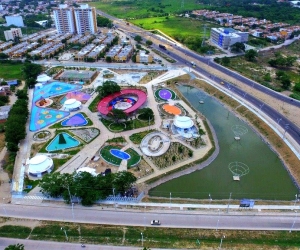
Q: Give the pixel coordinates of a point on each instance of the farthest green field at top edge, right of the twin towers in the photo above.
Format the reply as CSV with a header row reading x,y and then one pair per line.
x,y
144,8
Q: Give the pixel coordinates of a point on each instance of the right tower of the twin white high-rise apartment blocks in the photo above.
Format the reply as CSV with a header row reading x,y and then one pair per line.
x,y
85,19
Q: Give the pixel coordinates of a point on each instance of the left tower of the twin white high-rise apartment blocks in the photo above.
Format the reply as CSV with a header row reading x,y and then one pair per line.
x,y
64,19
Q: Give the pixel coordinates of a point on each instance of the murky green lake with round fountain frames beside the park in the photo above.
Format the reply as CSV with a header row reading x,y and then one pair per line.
x,y
267,177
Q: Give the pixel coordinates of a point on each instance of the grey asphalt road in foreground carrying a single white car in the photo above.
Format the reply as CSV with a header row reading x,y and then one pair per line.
x,y
174,219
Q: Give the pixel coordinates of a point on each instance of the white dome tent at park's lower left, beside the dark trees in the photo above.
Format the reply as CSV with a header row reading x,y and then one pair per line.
x,y
39,165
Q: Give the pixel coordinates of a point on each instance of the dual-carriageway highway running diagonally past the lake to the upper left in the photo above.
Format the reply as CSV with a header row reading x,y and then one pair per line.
x,y
287,126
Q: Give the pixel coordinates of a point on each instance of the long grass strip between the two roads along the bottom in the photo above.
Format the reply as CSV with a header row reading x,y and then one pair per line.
x,y
154,237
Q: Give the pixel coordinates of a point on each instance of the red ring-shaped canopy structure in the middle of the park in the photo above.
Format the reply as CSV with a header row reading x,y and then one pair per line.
x,y
104,106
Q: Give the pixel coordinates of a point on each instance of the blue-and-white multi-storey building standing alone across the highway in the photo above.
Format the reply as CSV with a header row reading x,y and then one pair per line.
x,y
225,37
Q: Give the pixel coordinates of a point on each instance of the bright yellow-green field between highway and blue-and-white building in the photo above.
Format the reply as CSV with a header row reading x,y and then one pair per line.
x,y
176,27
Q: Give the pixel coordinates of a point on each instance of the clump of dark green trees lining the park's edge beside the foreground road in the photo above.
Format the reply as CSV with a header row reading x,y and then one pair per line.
x,y
85,186
